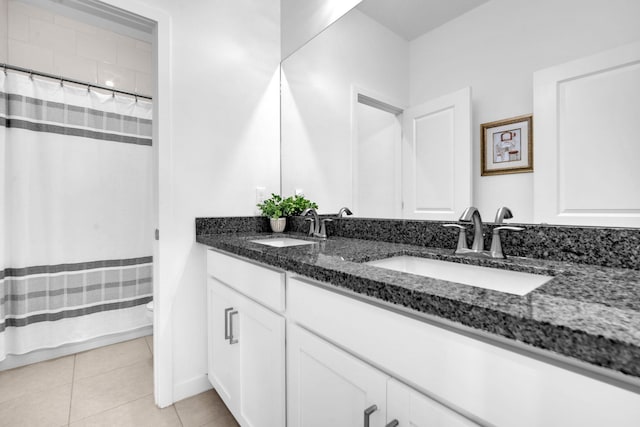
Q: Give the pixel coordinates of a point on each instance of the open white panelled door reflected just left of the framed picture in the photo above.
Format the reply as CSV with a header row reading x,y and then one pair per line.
x,y
436,152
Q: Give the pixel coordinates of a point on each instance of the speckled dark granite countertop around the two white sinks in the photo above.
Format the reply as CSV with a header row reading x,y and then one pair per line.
x,y
586,312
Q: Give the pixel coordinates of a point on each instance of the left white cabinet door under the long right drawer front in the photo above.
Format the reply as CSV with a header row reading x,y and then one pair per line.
x,y
329,387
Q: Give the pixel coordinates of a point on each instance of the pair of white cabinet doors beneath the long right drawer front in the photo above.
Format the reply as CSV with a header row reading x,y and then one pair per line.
x,y
330,387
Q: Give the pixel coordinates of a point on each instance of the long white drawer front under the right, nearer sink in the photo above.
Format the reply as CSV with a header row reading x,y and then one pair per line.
x,y
487,383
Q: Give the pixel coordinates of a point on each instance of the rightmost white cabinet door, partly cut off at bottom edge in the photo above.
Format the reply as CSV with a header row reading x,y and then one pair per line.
x,y
411,408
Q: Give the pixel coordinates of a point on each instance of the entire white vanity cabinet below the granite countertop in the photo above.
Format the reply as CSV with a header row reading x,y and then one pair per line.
x,y
345,355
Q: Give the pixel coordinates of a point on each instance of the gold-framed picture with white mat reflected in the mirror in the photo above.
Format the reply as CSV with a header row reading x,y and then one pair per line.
x,y
507,146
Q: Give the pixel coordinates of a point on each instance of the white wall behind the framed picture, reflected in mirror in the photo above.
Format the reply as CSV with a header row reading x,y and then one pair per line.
x,y
495,49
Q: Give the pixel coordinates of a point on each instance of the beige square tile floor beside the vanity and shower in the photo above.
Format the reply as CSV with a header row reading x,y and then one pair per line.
x,y
107,386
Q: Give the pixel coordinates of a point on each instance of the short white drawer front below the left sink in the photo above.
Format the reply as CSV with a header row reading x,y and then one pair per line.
x,y
262,284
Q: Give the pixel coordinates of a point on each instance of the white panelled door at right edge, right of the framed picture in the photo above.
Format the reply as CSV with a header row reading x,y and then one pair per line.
x,y
586,146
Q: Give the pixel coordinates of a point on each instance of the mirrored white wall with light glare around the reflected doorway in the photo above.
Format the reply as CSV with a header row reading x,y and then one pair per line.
x,y
317,98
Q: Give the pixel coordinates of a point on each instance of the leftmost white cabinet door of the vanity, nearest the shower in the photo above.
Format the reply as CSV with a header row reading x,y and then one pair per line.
x,y
223,355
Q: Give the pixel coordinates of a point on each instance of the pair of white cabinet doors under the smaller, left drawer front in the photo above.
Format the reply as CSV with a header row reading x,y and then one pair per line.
x,y
246,355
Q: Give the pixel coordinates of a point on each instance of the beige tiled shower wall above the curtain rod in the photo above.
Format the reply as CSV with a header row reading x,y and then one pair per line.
x,y
35,38
